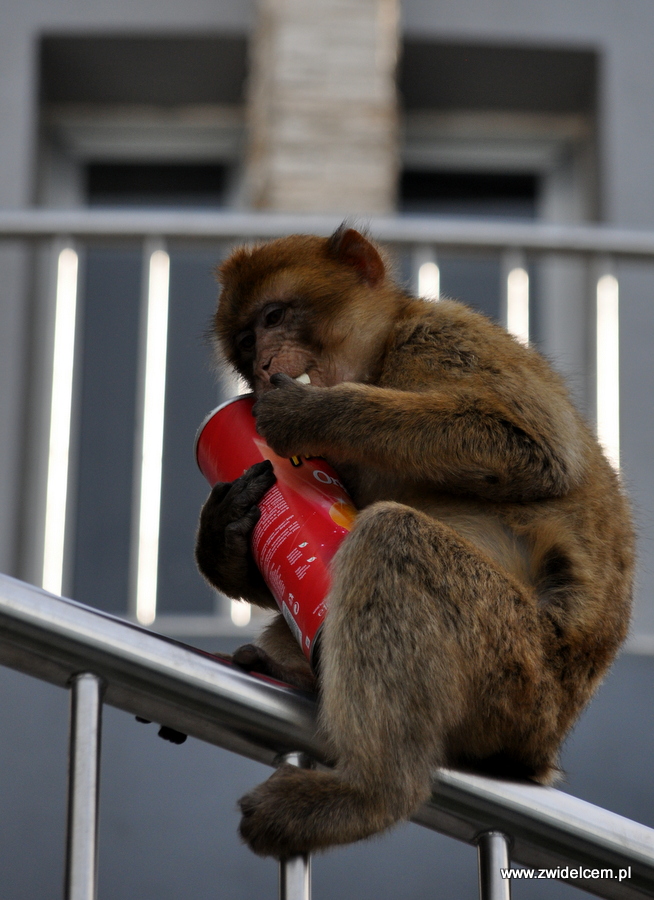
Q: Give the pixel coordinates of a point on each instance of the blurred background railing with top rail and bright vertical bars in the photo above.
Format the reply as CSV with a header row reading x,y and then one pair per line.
x,y
420,239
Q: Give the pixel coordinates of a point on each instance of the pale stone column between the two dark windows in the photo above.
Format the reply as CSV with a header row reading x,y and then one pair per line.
x,y
322,107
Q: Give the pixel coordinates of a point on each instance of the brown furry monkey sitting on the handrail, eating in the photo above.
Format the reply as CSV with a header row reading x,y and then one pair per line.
x,y
486,584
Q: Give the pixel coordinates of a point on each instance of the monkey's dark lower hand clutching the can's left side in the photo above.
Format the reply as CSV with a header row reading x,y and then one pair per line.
x,y
222,549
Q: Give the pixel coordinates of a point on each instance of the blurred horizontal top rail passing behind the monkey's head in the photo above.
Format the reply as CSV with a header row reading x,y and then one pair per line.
x,y
405,229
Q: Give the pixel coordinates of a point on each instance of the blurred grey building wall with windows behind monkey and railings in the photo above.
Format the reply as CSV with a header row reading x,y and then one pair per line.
x,y
500,109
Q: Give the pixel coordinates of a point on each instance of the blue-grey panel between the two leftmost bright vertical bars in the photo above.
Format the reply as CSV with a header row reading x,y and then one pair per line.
x,y
106,445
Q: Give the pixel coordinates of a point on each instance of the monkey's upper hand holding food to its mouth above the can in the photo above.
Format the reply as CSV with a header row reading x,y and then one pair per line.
x,y
286,417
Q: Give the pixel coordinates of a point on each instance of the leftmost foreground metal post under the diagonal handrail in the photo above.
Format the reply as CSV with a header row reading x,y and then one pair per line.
x,y
83,784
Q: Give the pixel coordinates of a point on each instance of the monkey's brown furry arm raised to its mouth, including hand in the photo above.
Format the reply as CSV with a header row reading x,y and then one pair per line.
x,y
464,438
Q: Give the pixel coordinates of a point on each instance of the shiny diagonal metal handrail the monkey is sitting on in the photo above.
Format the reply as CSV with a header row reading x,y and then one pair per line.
x,y
191,691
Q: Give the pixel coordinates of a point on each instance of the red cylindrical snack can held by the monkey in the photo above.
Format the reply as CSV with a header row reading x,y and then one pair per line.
x,y
304,516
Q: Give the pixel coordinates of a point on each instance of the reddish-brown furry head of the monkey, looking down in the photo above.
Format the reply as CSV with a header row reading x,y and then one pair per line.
x,y
296,306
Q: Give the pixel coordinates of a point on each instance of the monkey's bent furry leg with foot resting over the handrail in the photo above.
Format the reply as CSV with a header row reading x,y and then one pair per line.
x,y
422,632
